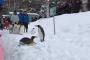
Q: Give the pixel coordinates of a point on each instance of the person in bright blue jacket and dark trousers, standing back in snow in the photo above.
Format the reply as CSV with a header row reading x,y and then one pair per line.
x,y
24,20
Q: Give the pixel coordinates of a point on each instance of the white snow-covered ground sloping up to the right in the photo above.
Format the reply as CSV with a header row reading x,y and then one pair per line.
x,y
71,41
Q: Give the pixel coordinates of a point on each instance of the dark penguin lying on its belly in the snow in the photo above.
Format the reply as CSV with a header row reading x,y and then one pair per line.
x,y
27,41
